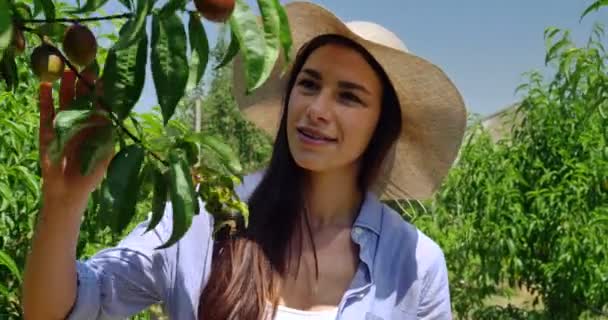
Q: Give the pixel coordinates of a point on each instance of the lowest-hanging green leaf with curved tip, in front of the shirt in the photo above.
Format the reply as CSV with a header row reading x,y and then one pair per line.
x,y
182,195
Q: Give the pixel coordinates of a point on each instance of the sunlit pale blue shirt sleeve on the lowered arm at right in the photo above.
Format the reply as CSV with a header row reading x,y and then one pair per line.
x,y
435,295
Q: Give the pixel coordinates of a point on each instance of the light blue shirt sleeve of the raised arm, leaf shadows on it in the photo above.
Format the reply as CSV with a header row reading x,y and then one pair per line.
x,y
121,281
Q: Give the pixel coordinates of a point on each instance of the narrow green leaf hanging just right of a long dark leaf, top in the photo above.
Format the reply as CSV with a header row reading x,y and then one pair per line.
x,y
200,49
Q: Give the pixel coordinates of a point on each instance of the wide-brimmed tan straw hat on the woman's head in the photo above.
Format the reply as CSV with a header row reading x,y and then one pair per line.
x,y
433,112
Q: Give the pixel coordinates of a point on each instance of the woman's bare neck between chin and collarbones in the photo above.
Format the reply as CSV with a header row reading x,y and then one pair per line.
x,y
333,198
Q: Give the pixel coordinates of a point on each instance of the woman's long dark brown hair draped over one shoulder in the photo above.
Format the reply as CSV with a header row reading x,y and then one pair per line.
x,y
246,269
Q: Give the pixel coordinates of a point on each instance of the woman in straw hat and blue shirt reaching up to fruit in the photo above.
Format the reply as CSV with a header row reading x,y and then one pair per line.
x,y
360,118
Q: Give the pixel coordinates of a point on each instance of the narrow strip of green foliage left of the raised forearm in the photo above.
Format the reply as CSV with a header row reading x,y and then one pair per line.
x,y
19,183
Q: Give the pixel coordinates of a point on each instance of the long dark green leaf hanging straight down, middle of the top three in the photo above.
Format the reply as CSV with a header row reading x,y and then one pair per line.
x,y
169,62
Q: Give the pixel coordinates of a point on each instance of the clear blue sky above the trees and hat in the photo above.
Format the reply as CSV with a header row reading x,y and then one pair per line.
x,y
483,46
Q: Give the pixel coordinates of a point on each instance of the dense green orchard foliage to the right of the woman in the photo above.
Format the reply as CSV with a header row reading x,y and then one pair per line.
x,y
530,210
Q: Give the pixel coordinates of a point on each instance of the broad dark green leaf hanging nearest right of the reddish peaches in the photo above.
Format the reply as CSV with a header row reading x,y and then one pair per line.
x,y
124,75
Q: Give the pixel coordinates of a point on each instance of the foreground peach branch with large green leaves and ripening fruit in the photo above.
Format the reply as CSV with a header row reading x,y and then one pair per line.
x,y
170,160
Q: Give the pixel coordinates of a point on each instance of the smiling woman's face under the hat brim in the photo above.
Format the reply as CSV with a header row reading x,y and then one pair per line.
x,y
333,109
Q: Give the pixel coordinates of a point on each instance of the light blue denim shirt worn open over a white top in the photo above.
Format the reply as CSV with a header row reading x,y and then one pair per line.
x,y
401,274
